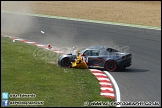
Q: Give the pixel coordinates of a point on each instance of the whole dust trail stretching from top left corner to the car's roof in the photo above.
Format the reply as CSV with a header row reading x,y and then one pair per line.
x,y
27,27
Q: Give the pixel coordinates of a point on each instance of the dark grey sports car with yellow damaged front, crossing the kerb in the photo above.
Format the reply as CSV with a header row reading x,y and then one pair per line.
x,y
97,57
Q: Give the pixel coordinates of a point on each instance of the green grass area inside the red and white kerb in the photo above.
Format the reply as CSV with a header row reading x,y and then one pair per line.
x,y
22,72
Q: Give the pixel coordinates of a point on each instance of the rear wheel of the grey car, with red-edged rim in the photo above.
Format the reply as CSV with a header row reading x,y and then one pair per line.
x,y
110,65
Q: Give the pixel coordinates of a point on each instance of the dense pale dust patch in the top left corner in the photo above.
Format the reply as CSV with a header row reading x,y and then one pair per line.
x,y
15,24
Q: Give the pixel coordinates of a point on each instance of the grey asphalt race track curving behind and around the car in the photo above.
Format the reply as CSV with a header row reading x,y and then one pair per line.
x,y
140,82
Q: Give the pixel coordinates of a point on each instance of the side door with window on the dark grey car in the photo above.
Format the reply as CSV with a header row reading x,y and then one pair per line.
x,y
93,57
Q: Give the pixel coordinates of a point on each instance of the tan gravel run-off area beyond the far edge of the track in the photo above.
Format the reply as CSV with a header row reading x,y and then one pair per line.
x,y
133,12
